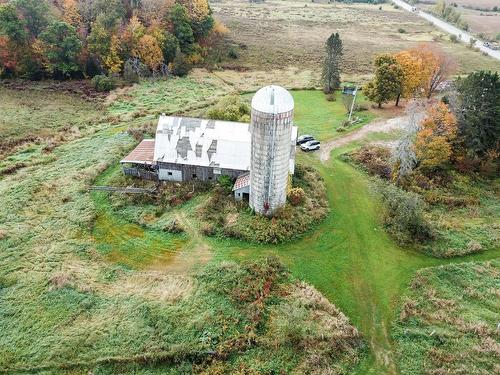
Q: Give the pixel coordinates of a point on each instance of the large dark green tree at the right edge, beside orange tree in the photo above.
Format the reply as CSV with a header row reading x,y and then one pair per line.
x,y
478,112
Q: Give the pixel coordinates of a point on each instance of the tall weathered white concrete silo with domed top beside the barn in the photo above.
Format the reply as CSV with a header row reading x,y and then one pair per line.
x,y
271,129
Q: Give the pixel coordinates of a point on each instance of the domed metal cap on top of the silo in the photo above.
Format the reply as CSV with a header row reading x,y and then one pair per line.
x,y
272,99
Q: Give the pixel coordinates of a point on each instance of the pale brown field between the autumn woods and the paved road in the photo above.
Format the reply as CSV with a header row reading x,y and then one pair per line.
x,y
281,33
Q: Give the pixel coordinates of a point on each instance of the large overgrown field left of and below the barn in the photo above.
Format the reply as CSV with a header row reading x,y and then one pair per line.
x,y
76,292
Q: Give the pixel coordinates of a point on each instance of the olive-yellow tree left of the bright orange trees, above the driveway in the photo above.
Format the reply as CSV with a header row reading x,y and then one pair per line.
x,y
388,81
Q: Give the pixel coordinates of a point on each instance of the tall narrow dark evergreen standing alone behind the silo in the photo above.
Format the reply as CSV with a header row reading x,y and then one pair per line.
x,y
332,63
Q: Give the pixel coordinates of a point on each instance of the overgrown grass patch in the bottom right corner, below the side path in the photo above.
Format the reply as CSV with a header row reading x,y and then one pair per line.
x,y
449,321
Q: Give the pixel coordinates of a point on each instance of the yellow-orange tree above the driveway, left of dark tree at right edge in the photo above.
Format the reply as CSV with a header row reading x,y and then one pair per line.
x,y
433,145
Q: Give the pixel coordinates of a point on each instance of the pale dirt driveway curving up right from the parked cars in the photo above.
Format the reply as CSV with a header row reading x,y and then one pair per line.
x,y
381,126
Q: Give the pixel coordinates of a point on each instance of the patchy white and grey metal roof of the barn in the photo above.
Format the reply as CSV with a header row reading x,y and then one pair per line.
x,y
209,143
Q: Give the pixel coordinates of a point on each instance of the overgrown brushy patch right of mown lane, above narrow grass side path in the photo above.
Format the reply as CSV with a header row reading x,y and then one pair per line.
x,y
462,213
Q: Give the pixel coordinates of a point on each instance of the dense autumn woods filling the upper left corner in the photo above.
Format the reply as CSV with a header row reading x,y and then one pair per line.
x,y
83,38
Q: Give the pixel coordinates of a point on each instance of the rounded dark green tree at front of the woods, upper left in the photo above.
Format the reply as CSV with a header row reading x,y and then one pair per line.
x,y
61,47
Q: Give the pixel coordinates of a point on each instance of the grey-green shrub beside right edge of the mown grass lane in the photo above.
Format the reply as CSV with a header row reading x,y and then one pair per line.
x,y
404,215
